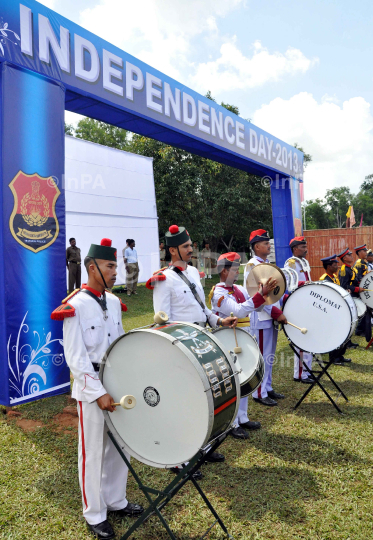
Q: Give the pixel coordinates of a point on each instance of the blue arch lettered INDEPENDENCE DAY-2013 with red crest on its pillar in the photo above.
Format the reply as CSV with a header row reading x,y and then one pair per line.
x,y
49,64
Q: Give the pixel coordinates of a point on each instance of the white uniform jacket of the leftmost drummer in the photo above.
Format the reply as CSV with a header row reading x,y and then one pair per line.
x,y
86,338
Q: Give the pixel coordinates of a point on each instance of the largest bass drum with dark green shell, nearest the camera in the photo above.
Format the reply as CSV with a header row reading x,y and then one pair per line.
x,y
186,388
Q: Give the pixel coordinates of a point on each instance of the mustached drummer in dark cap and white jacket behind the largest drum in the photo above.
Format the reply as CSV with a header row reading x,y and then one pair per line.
x,y
173,296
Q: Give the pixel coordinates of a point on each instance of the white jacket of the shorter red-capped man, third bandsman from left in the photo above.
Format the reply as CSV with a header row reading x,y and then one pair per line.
x,y
224,303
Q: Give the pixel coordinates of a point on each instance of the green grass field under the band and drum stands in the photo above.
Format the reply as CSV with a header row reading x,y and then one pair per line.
x,y
304,475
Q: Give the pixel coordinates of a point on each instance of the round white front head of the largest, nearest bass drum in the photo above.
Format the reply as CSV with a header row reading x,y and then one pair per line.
x,y
169,423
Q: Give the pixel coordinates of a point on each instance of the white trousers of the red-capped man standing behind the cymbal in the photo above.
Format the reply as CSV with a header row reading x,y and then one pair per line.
x,y
267,341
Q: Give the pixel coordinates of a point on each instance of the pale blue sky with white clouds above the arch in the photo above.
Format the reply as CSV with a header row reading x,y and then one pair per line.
x,y
300,70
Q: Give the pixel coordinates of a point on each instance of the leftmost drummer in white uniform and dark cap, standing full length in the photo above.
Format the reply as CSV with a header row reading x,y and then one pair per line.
x,y
92,320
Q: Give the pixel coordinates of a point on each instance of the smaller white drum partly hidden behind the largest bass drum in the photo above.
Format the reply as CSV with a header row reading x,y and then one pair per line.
x,y
249,362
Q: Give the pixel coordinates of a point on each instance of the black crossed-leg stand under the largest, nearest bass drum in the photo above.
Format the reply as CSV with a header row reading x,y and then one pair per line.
x,y
165,496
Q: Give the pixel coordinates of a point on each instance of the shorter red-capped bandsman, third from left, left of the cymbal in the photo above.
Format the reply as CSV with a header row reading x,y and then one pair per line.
x,y
227,297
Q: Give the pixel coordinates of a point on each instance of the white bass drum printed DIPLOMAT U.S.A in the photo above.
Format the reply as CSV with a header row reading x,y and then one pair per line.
x,y
326,310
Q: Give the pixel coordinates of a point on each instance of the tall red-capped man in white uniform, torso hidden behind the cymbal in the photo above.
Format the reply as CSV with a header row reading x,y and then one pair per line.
x,y
261,323
